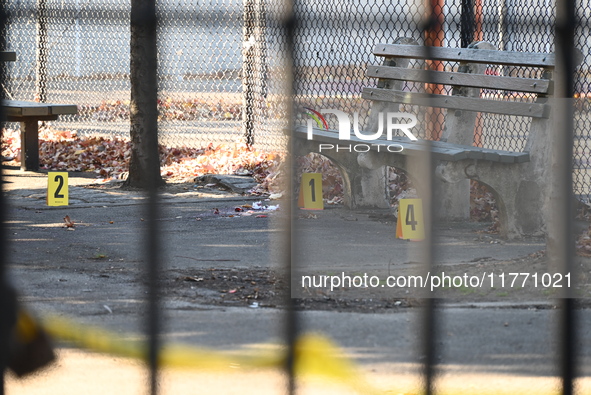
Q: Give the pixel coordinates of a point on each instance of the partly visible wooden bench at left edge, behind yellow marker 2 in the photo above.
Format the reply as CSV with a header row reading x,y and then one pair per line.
x,y
29,114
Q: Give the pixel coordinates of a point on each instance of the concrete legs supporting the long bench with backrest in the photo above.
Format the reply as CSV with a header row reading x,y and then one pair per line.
x,y
519,188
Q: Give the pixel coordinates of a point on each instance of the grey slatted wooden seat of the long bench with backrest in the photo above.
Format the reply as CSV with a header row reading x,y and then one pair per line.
x,y
440,149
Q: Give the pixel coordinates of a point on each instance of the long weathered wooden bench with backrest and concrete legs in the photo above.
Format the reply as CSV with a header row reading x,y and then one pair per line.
x,y
518,180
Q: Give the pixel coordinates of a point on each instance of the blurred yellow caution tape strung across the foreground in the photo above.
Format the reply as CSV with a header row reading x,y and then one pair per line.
x,y
314,353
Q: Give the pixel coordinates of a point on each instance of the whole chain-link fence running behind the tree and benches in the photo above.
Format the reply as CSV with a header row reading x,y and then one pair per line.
x,y
221,78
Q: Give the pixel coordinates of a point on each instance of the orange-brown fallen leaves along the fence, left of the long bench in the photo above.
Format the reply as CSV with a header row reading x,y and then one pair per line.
x,y
109,158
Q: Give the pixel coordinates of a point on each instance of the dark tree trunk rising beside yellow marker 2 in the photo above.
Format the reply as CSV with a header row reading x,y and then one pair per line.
x,y
144,166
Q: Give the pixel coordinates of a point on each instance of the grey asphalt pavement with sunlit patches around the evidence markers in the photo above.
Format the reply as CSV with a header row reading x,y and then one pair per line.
x,y
77,273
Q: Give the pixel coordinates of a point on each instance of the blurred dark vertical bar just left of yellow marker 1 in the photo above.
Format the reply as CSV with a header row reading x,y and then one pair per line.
x,y
289,23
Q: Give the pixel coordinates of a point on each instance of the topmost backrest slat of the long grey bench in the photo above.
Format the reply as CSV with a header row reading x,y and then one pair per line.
x,y
467,55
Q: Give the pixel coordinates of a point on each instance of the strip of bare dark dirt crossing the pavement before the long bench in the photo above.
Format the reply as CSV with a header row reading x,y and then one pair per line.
x,y
265,288
